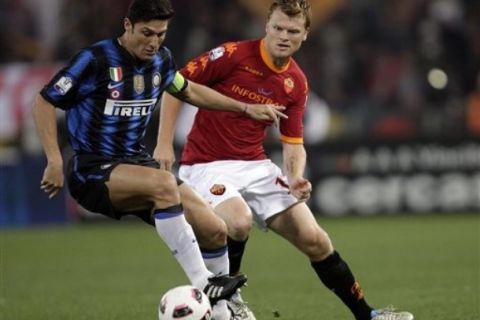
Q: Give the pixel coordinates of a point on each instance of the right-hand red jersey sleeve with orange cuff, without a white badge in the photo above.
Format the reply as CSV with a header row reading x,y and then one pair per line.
x,y
291,129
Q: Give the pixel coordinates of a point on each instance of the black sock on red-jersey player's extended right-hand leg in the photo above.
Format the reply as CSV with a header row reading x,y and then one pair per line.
x,y
336,275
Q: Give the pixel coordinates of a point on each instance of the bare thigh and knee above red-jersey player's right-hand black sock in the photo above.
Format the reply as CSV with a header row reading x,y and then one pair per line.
x,y
298,225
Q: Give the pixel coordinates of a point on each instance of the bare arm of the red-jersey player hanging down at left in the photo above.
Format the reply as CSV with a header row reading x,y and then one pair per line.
x,y
169,110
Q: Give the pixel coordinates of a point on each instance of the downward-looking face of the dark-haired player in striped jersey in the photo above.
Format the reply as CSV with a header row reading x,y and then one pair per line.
x,y
145,38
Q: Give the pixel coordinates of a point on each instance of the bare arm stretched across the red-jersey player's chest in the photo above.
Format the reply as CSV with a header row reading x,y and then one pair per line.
x,y
204,97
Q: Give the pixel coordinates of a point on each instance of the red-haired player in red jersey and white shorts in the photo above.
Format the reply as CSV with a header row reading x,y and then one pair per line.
x,y
224,159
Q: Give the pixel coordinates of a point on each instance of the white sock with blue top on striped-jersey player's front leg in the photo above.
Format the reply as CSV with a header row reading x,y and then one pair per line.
x,y
179,237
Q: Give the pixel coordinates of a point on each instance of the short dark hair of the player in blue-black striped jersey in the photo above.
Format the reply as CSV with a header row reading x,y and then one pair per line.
x,y
148,10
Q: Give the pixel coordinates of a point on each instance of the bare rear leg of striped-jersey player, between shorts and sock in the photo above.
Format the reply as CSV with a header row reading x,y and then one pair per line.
x,y
210,230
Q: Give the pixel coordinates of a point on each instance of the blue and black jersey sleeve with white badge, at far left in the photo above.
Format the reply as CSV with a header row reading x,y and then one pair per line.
x,y
70,83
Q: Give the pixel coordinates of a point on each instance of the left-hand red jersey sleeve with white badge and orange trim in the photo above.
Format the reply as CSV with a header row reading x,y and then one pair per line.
x,y
211,66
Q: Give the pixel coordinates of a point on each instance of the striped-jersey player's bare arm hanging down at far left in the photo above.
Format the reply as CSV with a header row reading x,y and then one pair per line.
x,y
46,123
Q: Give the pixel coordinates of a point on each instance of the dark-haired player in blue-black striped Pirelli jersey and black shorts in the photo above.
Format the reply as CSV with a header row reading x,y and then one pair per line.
x,y
109,91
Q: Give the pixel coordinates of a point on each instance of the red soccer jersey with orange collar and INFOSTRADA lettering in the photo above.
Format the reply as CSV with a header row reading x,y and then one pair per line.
x,y
243,71
